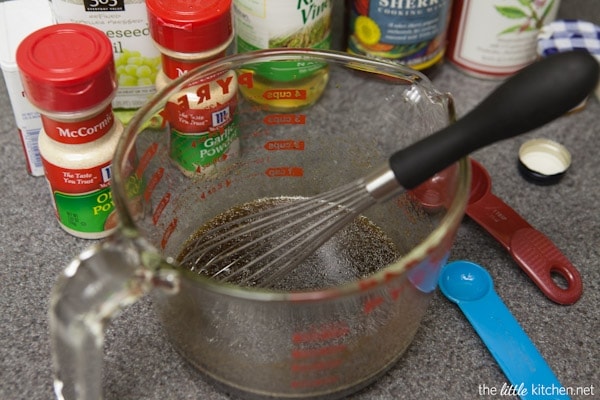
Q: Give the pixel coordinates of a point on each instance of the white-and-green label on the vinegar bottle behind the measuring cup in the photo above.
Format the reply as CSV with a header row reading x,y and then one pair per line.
x,y
265,24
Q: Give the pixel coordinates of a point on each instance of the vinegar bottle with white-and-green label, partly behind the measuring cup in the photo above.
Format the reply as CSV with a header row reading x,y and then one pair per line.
x,y
284,85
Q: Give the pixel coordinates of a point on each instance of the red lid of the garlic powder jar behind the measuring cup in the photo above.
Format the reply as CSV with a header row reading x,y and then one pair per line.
x,y
190,26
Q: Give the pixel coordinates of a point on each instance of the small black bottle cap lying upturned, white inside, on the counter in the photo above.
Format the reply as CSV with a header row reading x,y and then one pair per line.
x,y
543,161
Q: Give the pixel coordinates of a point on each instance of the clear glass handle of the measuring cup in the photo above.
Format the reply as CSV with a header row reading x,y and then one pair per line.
x,y
93,289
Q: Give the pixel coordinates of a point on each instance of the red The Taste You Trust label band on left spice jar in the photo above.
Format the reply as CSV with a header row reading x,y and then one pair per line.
x,y
77,180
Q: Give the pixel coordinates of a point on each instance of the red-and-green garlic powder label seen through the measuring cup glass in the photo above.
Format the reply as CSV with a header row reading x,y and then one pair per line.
x,y
203,123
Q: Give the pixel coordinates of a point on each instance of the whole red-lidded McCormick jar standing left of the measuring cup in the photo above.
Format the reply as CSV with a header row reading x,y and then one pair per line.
x,y
68,75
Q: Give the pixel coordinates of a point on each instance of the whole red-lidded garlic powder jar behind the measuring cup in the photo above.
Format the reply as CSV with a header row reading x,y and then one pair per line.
x,y
204,127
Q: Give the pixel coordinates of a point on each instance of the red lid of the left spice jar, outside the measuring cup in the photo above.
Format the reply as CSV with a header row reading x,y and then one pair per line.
x,y
67,67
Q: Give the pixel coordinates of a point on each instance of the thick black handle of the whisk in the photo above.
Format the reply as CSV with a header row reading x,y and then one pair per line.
x,y
536,95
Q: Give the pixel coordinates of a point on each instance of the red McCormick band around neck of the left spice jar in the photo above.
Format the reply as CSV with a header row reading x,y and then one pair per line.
x,y
80,131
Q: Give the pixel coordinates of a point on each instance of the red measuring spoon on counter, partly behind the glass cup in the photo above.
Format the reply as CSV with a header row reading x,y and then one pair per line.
x,y
533,251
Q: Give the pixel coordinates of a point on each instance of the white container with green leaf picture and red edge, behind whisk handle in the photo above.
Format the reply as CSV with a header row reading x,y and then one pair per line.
x,y
496,39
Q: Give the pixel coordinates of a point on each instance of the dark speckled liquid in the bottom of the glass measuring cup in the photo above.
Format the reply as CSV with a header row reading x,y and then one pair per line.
x,y
355,252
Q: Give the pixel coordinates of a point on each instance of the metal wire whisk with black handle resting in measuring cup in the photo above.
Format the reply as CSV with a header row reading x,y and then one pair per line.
x,y
260,248
